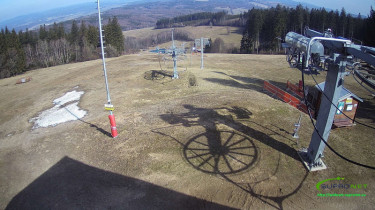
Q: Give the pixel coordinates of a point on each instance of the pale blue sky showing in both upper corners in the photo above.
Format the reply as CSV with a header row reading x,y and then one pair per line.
x,y
13,8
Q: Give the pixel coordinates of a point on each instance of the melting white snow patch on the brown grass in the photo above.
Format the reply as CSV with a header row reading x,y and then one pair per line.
x,y
65,109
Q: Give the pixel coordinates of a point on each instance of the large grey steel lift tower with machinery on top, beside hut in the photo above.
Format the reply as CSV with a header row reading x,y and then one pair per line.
x,y
308,52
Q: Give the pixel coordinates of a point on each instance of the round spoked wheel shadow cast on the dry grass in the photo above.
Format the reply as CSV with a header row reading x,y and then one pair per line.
x,y
220,152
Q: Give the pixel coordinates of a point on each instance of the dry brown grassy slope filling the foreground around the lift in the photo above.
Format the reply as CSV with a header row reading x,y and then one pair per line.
x,y
212,139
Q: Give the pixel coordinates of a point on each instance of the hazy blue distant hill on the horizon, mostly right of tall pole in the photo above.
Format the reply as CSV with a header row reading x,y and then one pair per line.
x,y
146,14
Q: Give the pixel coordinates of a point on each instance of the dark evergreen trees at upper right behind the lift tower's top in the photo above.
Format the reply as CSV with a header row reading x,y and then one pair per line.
x,y
265,28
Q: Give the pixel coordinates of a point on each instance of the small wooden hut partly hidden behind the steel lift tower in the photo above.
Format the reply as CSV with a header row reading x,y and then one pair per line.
x,y
348,104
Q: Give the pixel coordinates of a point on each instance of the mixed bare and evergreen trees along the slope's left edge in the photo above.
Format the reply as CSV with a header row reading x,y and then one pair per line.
x,y
55,45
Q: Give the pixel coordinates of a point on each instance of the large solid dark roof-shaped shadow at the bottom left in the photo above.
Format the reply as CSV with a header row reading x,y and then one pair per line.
x,y
70,184
